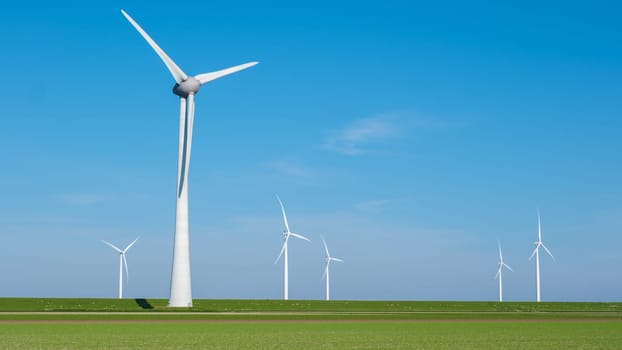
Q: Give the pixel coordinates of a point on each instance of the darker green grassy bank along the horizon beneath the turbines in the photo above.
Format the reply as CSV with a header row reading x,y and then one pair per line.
x,y
160,305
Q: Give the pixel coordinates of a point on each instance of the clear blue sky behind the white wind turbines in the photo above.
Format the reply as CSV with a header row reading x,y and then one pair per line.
x,y
412,135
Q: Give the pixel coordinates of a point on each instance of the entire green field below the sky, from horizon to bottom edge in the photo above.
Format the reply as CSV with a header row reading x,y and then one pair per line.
x,y
276,324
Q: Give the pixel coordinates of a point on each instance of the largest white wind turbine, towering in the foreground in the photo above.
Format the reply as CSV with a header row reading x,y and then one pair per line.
x,y
185,87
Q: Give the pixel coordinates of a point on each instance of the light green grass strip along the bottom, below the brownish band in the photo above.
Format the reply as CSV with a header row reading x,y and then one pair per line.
x,y
319,335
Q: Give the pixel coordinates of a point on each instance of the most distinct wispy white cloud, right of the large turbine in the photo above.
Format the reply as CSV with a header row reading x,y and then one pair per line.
x,y
358,137
